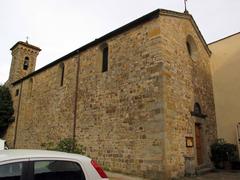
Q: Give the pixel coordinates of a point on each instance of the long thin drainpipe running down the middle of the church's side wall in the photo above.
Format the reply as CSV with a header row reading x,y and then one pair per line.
x,y
75,100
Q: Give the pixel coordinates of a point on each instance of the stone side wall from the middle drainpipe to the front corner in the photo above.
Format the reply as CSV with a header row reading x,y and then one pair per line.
x,y
122,109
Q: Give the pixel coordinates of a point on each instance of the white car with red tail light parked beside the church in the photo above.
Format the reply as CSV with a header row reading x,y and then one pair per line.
x,y
47,165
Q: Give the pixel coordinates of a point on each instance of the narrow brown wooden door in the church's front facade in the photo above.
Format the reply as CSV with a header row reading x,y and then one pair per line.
x,y
198,143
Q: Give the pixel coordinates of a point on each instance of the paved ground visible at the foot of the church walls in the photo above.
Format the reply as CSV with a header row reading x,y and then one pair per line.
x,y
218,175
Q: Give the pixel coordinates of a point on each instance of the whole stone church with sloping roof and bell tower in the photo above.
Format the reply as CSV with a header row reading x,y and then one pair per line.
x,y
139,99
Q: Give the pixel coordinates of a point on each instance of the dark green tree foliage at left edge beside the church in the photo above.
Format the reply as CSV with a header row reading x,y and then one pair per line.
x,y
6,109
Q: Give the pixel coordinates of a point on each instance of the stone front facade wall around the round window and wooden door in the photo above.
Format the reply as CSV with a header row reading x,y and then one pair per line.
x,y
188,81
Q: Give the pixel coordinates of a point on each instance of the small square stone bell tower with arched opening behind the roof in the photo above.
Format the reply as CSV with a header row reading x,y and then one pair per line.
x,y
24,56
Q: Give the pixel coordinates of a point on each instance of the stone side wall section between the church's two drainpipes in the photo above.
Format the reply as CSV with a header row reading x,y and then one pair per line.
x,y
46,108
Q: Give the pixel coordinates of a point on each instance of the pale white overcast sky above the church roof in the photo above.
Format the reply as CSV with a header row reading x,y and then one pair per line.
x,y
61,26
